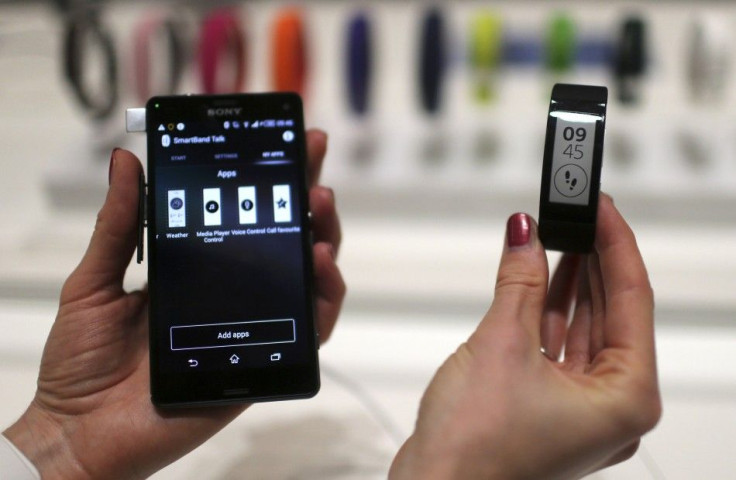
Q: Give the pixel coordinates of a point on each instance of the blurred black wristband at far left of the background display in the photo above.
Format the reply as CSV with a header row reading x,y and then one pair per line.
x,y
84,32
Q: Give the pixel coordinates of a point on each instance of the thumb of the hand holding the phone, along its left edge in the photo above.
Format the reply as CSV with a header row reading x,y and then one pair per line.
x,y
114,238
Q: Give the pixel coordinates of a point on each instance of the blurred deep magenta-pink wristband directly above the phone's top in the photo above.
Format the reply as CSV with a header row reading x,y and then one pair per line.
x,y
222,52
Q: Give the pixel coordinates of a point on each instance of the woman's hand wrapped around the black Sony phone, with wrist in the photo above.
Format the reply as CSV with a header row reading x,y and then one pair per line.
x,y
92,416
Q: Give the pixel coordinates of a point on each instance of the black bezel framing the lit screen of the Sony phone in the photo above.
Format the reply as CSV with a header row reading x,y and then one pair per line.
x,y
274,382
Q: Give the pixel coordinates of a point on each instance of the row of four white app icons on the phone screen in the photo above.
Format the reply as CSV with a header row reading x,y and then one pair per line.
x,y
212,206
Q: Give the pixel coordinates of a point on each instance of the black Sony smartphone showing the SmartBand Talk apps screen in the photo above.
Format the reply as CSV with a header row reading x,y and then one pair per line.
x,y
230,252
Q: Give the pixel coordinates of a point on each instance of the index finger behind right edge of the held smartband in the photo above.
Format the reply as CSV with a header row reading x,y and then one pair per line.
x,y
629,300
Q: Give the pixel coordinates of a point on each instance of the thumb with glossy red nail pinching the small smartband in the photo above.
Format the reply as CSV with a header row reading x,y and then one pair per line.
x,y
521,283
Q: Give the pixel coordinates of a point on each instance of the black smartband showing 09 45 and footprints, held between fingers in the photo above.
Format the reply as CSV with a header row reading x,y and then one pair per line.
x,y
571,173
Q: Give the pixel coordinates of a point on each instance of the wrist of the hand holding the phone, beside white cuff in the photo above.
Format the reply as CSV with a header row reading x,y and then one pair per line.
x,y
41,439
